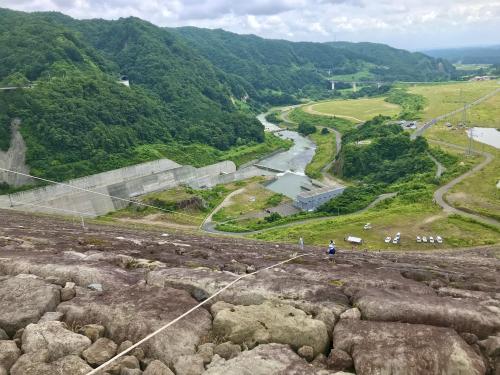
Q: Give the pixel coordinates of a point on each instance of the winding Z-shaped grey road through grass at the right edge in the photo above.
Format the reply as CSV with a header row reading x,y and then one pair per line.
x,y
440,193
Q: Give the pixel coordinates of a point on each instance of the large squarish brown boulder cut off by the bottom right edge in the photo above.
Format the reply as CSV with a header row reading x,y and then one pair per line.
x,y
405,349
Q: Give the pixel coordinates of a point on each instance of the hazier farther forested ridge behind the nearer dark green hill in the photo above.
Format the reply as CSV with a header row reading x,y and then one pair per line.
x,y
299,68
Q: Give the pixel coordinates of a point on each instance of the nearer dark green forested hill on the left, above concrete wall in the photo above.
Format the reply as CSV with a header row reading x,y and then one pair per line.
x,y
78,120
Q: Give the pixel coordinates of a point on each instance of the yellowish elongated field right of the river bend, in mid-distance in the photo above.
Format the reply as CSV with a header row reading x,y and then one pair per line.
x,y
356,109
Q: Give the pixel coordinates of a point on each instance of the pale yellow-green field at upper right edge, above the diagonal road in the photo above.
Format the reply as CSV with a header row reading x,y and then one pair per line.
x,y
443,98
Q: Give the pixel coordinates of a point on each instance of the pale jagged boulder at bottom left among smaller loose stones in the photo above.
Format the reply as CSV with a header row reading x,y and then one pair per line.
x,y
55,338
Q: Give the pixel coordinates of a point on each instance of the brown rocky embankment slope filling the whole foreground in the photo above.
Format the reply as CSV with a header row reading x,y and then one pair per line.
x,y
71,299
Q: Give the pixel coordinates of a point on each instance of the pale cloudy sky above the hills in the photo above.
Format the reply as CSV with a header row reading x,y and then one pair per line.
x,y
409,24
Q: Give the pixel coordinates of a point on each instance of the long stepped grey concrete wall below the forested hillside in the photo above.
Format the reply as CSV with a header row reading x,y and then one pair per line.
x,y
124,183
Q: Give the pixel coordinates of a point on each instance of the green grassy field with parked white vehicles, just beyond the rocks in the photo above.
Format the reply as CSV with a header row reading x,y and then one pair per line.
x,y
409,220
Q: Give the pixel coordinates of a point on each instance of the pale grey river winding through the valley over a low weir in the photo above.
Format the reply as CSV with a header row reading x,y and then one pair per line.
x,y
292,163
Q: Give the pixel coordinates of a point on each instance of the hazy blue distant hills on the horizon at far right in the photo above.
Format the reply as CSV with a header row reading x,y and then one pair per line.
x,y
469,55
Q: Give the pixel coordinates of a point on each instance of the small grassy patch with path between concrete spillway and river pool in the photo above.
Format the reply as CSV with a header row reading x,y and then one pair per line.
x,y
252,200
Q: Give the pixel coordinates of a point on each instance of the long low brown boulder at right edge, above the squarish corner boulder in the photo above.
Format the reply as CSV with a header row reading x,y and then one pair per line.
x,y
463,315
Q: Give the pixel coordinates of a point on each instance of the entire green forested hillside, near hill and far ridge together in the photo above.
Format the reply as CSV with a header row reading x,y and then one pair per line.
x,y
191,89
